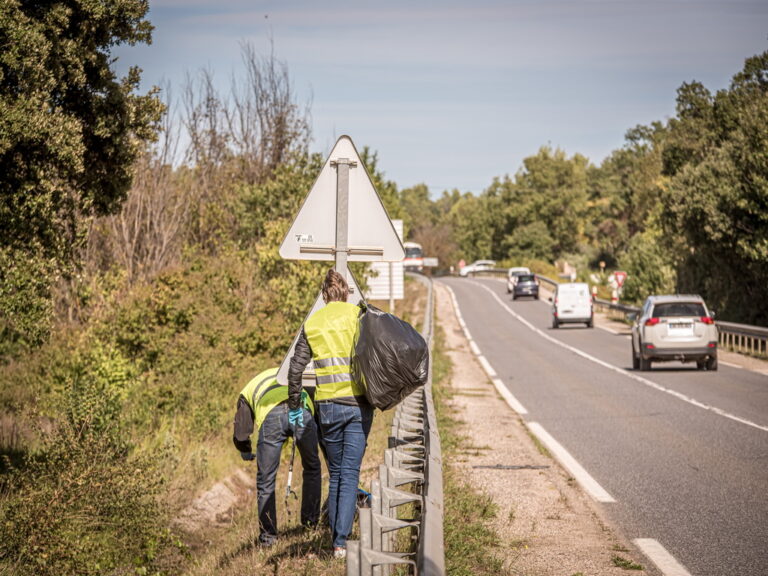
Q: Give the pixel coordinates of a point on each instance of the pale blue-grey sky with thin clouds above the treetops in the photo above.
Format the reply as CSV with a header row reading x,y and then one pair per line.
x,y
454,93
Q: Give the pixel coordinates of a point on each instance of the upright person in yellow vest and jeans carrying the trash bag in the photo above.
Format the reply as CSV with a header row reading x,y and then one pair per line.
x,y
345,416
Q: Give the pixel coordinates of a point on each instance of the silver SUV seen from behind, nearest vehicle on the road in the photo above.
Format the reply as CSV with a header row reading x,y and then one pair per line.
x,y
674,327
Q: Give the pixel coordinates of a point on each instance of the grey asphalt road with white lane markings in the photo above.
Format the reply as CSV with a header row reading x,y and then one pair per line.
x,y
683,452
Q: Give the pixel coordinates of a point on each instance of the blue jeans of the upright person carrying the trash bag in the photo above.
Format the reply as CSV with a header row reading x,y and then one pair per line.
x,y
345,434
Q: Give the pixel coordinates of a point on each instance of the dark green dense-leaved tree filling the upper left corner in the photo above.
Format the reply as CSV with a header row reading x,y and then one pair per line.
x,y
70,131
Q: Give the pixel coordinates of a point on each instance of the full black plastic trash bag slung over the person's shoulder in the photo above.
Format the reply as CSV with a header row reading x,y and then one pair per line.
x,y
390,360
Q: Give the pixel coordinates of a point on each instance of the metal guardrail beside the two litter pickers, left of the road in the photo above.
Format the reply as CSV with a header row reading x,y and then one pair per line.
x,y
413,460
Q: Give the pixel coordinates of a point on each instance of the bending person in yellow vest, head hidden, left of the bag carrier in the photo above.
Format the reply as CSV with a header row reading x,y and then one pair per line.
x,y
263,406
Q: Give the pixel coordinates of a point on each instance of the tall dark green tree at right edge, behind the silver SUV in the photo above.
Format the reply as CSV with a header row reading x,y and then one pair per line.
x,y
717,201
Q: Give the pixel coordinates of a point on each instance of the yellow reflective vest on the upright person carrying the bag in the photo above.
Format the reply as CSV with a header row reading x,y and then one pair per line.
x,y
331,335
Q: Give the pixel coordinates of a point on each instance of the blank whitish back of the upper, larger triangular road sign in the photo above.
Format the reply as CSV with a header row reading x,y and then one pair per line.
x,y
371,236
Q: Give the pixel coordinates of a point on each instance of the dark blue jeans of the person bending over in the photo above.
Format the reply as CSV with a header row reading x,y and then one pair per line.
x,y
273,433
